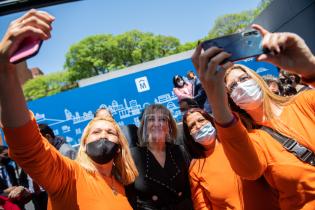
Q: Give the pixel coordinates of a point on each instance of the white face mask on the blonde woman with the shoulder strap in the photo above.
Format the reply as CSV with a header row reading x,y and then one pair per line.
x,y
247,95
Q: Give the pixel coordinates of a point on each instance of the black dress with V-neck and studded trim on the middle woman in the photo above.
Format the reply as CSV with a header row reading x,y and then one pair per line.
x,y
158,188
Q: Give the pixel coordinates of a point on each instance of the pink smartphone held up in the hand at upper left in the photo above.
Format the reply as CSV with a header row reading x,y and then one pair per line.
x,y
28,48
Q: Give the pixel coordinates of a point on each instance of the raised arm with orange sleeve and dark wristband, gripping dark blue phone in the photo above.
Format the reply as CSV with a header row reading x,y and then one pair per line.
x,y
245,159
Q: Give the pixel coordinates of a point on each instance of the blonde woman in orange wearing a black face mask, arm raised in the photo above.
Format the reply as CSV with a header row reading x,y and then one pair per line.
x,y
103,165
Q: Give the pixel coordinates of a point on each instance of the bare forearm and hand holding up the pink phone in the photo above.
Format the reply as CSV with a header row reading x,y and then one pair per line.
x,y
14,112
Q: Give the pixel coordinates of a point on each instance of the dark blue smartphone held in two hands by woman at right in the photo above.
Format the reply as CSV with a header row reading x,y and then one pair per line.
x,y
240,45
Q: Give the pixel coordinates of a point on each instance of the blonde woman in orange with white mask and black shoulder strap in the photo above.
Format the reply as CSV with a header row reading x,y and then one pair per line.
x,y
252,152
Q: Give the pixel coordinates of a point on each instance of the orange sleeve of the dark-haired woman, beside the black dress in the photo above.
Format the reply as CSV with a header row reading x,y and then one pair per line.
x,y
199,198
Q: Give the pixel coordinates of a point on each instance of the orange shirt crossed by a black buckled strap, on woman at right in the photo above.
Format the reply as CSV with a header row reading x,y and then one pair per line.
x,y
255,153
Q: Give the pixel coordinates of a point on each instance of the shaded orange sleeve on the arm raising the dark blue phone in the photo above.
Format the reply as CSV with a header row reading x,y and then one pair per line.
x,y
246,158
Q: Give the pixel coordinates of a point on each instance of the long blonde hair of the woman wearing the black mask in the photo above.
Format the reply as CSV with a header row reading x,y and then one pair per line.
x,y
124,168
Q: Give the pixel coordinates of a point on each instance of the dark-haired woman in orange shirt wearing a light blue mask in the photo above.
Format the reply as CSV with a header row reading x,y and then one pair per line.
x,y
214,184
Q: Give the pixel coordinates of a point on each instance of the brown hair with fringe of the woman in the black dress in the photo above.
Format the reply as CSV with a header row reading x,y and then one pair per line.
x,y
152,109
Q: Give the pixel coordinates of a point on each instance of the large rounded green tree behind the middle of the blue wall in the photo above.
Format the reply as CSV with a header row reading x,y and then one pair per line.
x,y
100,54
